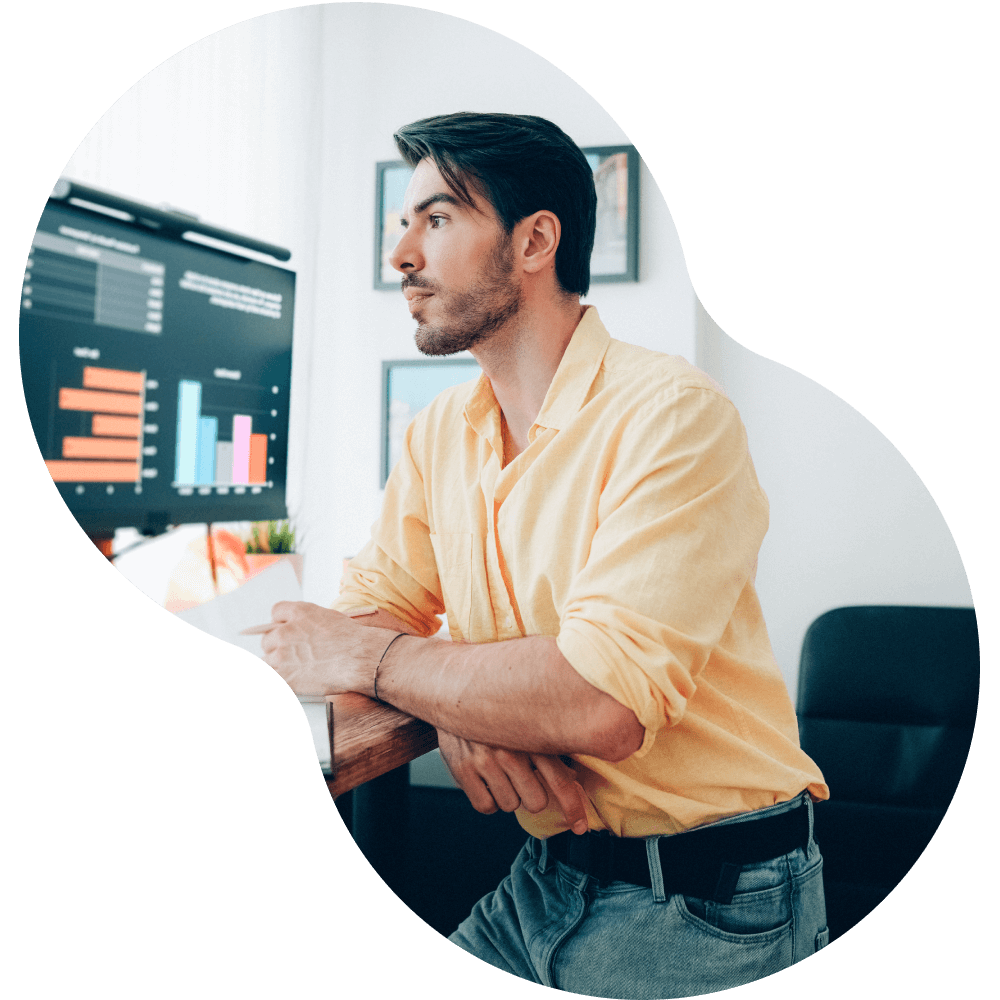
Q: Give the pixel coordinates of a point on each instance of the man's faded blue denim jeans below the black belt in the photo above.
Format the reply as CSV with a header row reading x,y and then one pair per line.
x,y
551,924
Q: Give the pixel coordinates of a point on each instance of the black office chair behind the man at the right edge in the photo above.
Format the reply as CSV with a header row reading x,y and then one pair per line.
x,y
887,705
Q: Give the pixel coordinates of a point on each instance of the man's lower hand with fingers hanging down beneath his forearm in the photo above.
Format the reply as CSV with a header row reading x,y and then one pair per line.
x,y
494,778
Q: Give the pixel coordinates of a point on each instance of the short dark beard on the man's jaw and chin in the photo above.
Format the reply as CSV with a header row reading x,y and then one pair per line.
x,y
476,314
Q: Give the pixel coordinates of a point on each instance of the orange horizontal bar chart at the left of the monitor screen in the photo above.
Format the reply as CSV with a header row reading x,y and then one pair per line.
x,y
112,452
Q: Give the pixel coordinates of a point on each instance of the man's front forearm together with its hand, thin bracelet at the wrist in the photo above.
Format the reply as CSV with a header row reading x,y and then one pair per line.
x,y
519,695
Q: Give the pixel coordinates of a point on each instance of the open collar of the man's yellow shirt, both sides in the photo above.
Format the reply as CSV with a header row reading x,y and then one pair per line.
x,y
577,370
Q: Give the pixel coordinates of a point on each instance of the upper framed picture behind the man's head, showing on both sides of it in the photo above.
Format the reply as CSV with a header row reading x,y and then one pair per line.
x,y
616,242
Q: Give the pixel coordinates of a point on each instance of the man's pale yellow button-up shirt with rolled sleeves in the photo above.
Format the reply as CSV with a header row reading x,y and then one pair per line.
x,y
628,529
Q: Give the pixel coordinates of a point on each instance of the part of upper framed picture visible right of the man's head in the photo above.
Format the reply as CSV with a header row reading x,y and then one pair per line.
x,y
616,242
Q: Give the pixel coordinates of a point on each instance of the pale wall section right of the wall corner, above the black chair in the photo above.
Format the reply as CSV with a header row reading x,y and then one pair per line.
x,y
851,521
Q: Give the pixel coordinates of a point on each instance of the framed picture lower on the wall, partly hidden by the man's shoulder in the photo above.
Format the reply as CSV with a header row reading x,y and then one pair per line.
x,y
407,387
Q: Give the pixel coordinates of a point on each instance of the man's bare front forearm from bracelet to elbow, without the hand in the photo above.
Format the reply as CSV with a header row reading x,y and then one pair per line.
x,y
521,694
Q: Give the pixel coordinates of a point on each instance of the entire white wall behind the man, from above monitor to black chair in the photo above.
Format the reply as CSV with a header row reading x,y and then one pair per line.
x,y
273,127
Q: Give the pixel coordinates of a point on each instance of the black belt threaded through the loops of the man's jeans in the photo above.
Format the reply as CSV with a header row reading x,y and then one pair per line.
x,y
702,863
